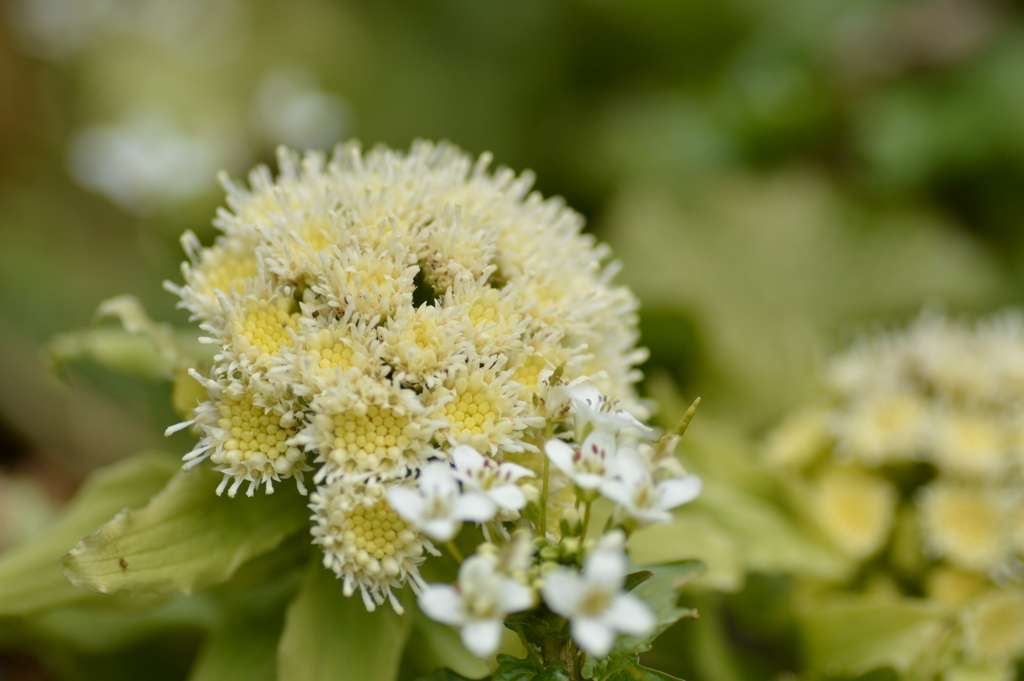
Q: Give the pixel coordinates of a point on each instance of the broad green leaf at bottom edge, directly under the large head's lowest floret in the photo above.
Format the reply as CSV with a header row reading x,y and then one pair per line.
x,y
330,637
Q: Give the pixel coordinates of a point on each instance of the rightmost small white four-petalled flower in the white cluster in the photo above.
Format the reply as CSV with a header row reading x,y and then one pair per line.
x,y
645,499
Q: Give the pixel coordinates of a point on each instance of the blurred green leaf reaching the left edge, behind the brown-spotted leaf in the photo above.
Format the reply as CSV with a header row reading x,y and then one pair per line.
x,y
31,578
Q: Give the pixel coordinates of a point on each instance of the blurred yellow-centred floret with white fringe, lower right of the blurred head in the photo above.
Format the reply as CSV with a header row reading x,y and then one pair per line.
x,y
963,525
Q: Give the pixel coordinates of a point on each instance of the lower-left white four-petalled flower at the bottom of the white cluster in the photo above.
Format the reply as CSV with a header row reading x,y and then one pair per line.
x,y
479,605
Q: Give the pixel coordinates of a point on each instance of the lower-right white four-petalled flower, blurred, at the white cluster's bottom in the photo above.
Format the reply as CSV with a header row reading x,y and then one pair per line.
x,y
593,601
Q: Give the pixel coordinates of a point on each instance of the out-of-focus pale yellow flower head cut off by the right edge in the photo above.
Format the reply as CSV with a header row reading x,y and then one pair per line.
x,y
918,459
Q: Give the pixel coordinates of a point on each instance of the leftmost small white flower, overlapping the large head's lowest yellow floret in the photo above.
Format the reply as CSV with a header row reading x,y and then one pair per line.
x,y
436,506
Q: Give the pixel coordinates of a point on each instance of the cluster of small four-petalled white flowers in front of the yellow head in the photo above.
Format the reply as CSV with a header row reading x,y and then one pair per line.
x,y
646,483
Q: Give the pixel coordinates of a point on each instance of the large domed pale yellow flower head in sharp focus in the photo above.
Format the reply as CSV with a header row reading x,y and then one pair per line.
x,y
376,317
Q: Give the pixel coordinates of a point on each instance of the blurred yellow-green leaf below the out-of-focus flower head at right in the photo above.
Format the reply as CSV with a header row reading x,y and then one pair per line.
x,y
856,634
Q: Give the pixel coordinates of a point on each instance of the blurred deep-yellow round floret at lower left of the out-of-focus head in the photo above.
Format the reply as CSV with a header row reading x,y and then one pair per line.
x,y
856,509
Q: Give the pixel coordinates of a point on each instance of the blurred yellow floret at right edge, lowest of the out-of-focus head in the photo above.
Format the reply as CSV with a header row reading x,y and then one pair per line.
x,y
994,626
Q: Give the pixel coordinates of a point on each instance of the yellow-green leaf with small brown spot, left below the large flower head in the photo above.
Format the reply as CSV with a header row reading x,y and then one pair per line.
x,y
186,538
